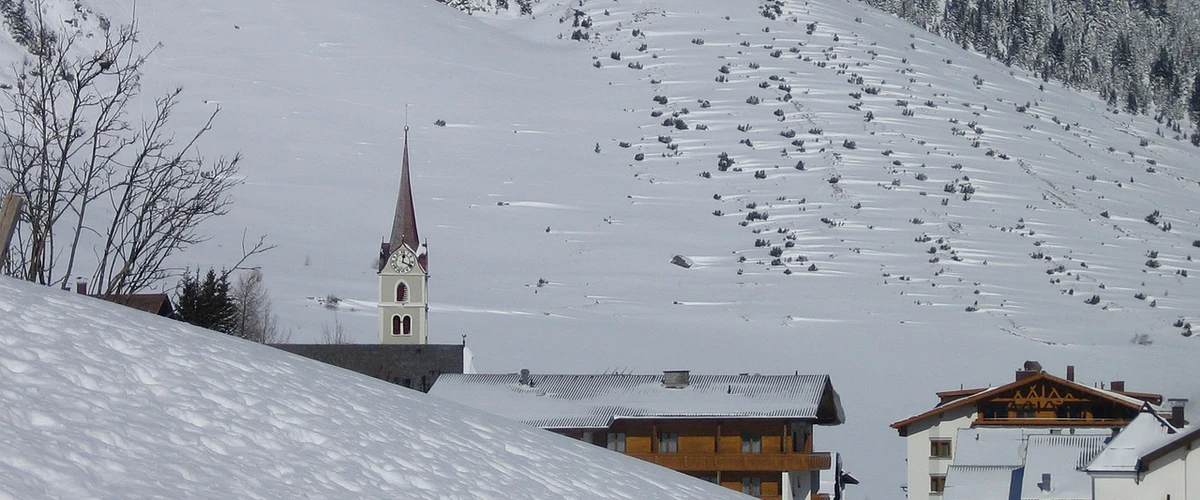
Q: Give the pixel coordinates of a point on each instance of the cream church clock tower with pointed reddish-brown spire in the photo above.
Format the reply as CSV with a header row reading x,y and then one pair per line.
x,y
404,273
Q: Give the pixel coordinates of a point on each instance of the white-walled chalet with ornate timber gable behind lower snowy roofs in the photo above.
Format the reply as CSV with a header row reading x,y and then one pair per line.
x,y
1036,400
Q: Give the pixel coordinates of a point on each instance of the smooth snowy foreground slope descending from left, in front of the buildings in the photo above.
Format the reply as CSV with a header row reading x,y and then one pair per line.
x,y
100,401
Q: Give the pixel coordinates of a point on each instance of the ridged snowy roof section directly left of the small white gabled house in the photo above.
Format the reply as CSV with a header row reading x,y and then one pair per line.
x,y
1061,456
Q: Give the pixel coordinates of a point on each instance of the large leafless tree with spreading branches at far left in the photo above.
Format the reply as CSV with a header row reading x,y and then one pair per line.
x,y
94,180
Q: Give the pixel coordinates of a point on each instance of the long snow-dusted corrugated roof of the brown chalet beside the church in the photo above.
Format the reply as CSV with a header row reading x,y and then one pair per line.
x,y
569,401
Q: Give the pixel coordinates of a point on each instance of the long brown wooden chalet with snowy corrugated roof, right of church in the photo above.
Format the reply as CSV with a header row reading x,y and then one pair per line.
x,y
749,433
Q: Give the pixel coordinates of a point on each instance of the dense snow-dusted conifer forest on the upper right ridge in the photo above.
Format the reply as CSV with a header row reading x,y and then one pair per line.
x,y
1141,56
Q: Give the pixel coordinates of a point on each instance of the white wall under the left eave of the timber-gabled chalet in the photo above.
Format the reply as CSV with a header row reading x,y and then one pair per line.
x,y
921,465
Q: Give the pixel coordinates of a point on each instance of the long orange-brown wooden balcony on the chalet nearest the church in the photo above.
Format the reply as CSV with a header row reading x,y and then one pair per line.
x,y
739,462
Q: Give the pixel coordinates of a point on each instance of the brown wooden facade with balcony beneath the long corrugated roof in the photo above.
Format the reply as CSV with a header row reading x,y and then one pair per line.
x,y
746,455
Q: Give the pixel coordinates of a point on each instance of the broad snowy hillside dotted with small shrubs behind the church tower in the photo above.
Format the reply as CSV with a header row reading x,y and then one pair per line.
x,y
953,216
